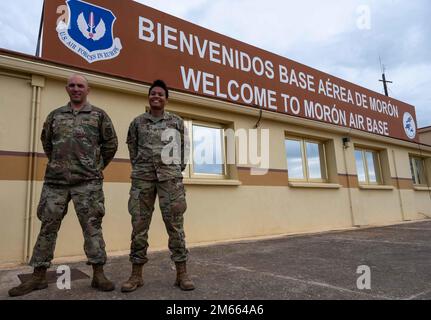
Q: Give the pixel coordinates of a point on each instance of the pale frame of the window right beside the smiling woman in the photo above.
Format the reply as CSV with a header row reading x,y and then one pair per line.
x,y
189,173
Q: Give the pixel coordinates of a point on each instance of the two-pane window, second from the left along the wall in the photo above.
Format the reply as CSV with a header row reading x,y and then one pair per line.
x,y
306,160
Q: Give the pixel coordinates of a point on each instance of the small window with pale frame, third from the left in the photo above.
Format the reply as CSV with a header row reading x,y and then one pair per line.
x,y
368,166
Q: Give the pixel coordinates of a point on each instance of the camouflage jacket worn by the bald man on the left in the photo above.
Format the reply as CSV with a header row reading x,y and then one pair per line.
x,y
79,144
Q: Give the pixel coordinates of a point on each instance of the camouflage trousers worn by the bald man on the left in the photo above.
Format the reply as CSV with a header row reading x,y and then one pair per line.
x,y
88,200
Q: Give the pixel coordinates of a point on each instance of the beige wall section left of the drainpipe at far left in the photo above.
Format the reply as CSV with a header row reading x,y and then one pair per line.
x,y
15,109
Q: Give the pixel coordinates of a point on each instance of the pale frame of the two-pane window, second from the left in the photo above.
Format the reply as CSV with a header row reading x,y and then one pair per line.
x,y
305,168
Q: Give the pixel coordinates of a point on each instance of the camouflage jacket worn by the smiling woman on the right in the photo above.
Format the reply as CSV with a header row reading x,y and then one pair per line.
x,y
147,138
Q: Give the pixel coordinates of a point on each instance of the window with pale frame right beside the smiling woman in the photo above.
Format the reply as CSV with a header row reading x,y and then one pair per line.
x,y
207,150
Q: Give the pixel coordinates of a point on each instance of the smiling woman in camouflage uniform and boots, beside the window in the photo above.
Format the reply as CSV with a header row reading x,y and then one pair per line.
x,y
157,172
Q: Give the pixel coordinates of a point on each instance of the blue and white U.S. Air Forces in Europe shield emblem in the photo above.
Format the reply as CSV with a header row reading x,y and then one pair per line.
x,y
89,32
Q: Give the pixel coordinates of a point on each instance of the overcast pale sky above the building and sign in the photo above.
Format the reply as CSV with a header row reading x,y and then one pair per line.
x,y
342,38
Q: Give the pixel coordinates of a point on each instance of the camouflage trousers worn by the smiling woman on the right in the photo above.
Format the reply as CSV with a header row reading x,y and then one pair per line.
x,y
172,205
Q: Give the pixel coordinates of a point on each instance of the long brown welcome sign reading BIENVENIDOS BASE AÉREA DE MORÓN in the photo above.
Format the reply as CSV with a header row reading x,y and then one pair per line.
x,y
128,39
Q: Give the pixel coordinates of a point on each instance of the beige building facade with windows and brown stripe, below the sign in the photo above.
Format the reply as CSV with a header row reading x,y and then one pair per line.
x,y
320,176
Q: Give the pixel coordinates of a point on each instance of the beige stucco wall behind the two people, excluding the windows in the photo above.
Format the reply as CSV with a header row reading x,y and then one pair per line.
x,y
221,212
